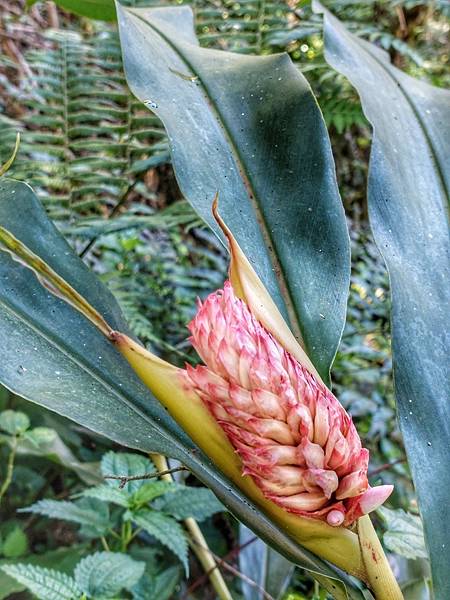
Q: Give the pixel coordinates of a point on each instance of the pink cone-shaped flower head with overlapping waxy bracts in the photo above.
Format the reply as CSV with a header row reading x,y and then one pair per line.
x,y
293,436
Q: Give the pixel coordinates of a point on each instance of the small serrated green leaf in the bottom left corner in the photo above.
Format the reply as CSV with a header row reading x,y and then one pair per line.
x,y
46,584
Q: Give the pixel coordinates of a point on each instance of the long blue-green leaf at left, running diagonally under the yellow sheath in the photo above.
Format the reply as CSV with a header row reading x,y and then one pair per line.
x,y
53,356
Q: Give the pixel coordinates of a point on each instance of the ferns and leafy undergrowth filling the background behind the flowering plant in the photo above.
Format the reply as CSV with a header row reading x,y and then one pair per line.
x,y
99,161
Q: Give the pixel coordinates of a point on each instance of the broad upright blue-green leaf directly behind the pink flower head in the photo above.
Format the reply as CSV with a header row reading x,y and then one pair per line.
x,y
250,129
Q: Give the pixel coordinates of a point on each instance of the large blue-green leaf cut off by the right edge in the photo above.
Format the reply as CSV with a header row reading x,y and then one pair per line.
x,y
408,195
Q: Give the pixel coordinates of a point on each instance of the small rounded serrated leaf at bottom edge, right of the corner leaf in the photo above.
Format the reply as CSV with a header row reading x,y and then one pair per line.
x,y
105,574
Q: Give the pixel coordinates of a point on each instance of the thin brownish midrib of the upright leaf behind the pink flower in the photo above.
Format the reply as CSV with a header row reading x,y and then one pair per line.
x,y
277,266
